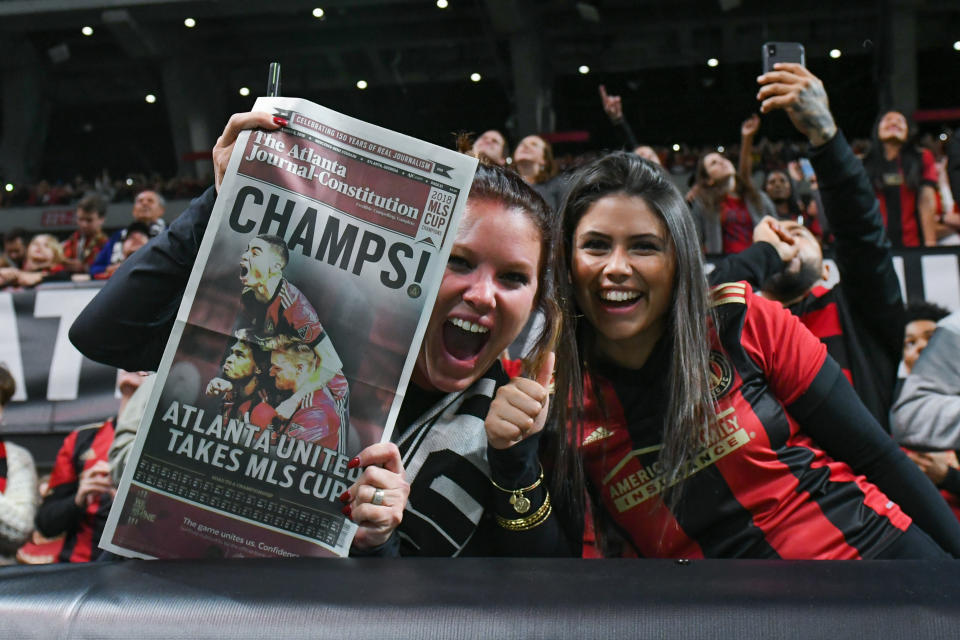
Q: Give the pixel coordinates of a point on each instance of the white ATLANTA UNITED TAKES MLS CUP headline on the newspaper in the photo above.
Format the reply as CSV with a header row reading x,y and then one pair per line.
x,y
238,446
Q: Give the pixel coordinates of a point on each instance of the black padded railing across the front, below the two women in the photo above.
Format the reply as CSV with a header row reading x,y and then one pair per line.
x,y
482,598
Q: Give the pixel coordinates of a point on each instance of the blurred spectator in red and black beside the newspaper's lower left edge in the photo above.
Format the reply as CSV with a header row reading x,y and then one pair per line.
x,y
81,491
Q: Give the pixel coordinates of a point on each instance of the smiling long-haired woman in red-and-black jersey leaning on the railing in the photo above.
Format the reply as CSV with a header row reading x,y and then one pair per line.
x,y
712,423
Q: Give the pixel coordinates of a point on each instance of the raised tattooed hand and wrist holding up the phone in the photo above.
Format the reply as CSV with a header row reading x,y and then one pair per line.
x,y
794,89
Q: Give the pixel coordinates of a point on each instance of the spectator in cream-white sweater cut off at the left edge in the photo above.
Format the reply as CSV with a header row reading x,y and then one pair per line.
x,y
18,485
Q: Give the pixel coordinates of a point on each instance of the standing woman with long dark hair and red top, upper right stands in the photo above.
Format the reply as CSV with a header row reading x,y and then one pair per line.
x,y
905,179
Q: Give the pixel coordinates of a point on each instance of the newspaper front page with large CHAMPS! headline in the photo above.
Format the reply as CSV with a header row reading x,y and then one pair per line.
x,y
295,340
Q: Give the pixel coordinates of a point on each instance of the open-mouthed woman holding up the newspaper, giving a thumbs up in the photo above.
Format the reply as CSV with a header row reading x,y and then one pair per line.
x,y
449,484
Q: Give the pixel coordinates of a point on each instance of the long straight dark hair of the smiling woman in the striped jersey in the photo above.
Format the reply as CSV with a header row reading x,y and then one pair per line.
x,y
689,404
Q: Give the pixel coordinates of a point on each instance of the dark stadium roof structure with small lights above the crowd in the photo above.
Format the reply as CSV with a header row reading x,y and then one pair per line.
x,y
537,63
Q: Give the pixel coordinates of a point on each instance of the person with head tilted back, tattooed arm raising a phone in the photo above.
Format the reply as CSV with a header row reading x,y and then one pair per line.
x,y
861,318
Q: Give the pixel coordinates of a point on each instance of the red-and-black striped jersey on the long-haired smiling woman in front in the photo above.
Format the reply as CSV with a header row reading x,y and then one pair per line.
x,y
760,486
